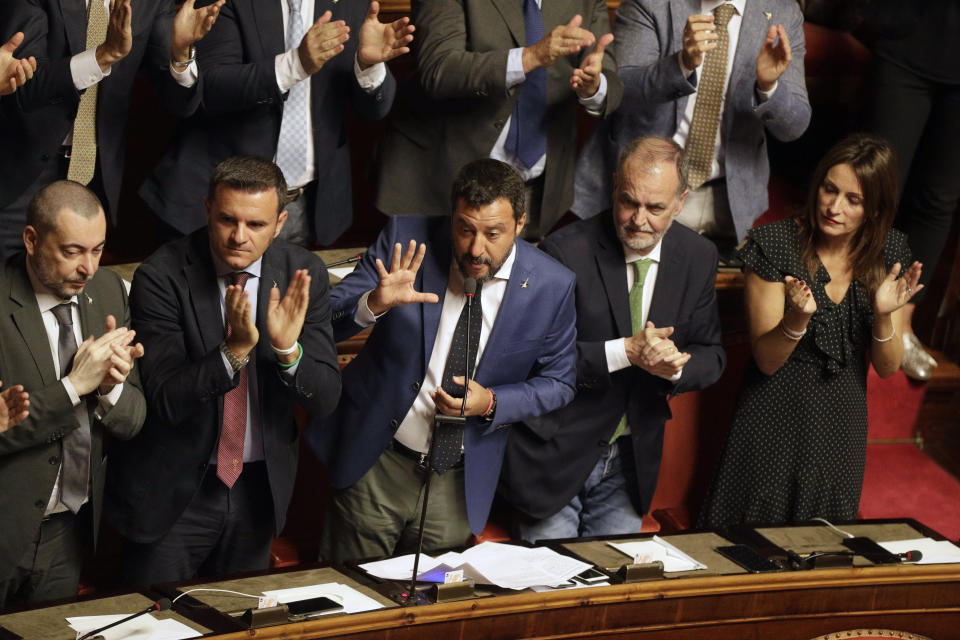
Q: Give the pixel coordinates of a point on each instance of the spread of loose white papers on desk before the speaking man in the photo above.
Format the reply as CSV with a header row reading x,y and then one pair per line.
x,y
504,565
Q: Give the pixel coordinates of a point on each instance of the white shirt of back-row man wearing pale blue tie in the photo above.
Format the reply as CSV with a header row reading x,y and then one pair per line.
x,y
290,71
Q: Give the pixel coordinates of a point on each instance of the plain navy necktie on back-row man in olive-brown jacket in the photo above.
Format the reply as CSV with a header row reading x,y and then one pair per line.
x,y
527,137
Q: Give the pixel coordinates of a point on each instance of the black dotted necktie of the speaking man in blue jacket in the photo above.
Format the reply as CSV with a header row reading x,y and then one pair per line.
x,y
448,443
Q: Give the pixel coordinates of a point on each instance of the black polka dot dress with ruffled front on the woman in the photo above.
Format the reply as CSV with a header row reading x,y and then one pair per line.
x,y
797,444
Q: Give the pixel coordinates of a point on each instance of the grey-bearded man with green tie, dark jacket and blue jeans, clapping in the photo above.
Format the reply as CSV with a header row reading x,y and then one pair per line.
x,y
647,329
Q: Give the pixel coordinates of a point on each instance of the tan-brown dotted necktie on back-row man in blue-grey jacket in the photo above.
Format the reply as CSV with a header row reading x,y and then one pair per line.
x,y
706,111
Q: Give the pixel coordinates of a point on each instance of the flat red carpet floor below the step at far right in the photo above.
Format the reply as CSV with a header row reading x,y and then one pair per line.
x,y
901,482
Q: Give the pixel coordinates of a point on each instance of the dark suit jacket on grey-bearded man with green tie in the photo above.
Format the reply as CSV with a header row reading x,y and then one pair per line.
x,y
548,459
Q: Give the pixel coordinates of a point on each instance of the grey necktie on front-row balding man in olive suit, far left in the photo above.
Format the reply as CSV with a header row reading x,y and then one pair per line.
x,y
76,445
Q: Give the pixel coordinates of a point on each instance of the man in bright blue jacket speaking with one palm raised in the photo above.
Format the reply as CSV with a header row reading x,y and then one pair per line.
x,y
523,334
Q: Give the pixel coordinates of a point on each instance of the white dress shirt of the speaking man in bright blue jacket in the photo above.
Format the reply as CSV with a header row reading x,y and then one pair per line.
x,y
417,426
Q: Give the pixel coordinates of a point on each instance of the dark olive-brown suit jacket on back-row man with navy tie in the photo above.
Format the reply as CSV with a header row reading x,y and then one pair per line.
x,y
454,108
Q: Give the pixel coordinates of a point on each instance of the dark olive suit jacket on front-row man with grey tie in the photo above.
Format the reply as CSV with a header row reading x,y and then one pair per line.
x,y
30,452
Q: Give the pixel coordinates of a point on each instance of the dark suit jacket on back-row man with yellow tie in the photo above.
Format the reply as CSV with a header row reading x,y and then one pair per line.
x,y
43,111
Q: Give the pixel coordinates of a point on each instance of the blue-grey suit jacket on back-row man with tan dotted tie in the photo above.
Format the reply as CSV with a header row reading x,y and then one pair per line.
x,y
649,36
